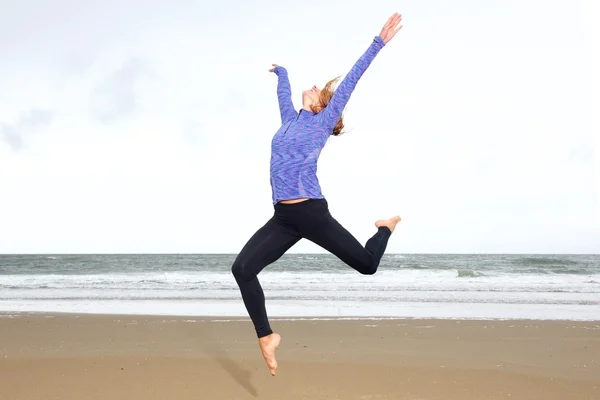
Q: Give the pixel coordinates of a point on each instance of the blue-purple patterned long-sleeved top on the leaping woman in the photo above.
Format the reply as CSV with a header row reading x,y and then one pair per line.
x,y
296,146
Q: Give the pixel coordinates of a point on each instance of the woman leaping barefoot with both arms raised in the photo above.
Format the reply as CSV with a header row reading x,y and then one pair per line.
x,y
301,210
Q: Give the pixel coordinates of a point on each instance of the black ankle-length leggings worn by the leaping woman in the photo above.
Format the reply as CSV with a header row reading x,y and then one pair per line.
x,y
309,219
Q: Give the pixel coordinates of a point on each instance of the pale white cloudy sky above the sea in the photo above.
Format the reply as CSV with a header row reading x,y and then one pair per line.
x,y
140,126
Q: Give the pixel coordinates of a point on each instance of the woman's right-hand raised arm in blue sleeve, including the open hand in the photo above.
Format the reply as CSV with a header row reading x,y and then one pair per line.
x,y
332,113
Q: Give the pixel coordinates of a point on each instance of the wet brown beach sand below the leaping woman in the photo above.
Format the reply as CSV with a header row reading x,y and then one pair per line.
x,y
112,357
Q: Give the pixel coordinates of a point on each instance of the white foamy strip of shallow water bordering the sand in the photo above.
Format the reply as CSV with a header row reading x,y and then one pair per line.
x,y
311,308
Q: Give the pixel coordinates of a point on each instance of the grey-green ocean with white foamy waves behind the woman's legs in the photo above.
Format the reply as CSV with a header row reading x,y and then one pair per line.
x,y
564,287
